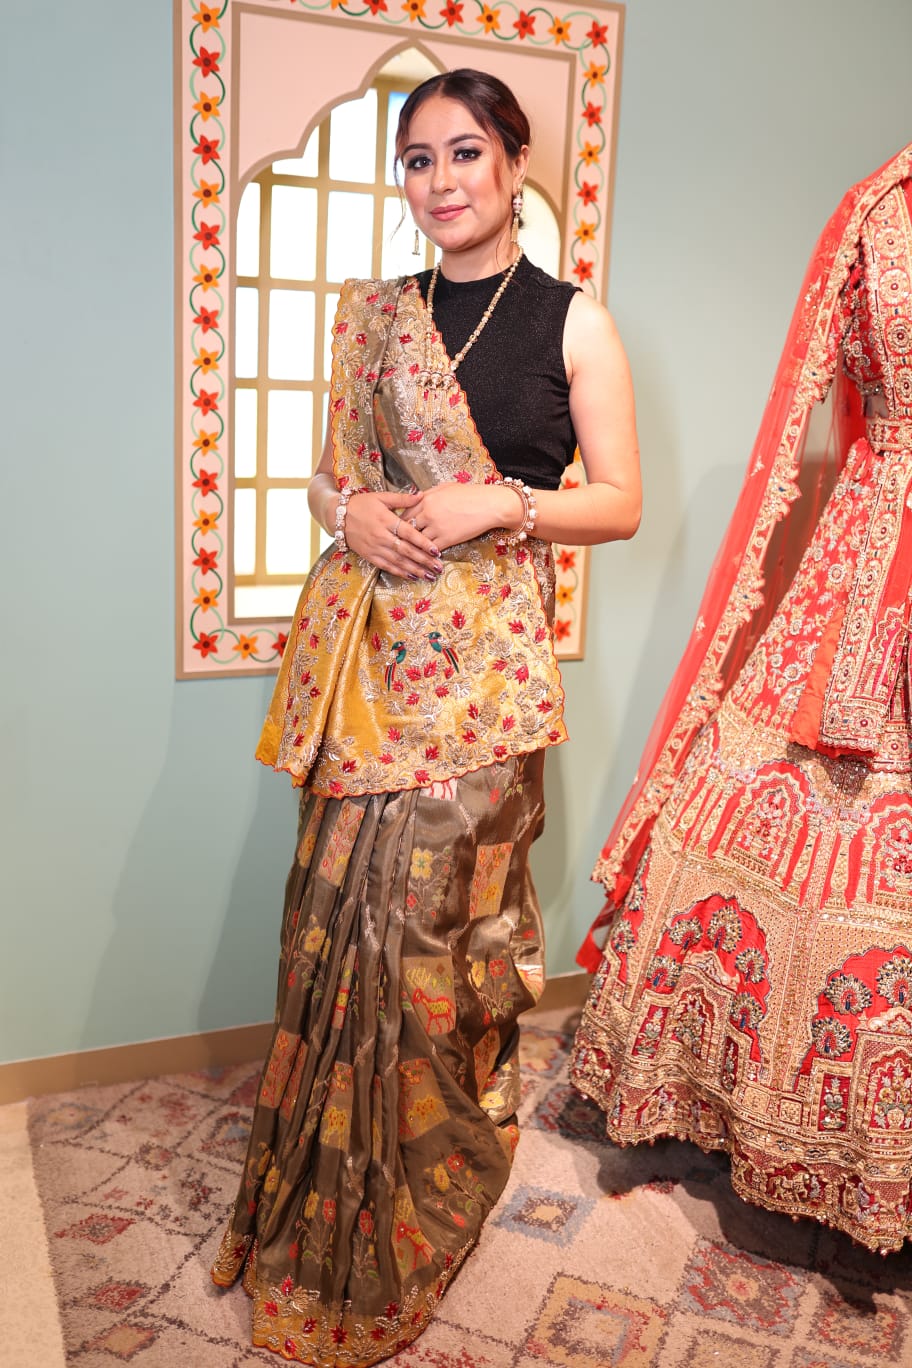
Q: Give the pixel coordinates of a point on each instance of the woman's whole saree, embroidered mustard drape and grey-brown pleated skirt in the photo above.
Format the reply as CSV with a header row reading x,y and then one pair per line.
x,y
416,719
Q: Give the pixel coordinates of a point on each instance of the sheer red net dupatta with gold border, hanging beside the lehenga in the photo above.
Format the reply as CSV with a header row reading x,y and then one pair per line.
x,y
739,600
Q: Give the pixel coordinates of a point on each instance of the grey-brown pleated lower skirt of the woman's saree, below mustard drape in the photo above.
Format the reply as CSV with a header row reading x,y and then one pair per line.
x,y
385,1125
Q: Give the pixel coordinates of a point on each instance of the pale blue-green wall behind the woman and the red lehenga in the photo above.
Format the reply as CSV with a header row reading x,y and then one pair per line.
x,y
143,850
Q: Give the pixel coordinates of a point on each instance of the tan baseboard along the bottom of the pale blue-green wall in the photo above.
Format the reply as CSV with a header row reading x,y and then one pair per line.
x,y
187,1054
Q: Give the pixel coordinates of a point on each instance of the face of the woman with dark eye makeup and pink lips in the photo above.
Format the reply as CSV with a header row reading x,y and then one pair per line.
x,y
460,185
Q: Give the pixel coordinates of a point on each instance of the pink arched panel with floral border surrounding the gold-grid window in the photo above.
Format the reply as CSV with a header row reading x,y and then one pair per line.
x,y
252,80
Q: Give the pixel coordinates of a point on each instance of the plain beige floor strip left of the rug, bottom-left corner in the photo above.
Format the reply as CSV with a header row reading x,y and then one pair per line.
x,y
31,1333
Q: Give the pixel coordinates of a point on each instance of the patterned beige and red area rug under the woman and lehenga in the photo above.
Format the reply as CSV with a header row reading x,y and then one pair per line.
x,y
595,1257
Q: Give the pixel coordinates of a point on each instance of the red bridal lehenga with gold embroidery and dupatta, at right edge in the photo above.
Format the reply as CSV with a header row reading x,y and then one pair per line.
x,y
754,965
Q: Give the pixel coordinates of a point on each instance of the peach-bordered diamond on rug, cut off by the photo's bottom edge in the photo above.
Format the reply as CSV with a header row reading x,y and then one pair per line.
x,y
587,1325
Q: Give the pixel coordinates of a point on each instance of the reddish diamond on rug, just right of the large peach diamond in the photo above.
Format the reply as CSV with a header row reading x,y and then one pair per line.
x,y
742,1288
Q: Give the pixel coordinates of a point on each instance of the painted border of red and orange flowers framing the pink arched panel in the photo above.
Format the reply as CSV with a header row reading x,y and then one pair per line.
x,y
209,641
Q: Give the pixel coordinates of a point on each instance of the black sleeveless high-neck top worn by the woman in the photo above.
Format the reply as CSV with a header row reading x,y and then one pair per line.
x,y
513,377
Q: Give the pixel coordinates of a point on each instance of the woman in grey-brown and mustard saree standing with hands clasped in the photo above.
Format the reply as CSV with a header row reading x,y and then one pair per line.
x,y
415,705
